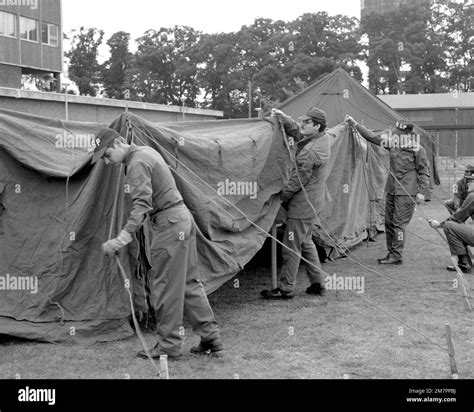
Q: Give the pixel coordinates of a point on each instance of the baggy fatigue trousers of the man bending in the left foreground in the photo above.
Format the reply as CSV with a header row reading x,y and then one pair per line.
x,y
174,280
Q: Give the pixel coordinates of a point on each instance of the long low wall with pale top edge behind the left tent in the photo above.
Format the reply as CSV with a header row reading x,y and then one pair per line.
x,y
91,109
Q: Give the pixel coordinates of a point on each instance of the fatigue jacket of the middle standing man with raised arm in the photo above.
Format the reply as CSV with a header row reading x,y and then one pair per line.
x,y
312,157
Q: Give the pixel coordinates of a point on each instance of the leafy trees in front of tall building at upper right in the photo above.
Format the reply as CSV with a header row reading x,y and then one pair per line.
x,y
420,49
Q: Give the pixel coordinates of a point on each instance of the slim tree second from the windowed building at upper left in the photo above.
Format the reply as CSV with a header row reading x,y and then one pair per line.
x,y
116,72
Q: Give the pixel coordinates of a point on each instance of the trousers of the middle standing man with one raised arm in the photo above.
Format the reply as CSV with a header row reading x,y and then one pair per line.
x,y
298,238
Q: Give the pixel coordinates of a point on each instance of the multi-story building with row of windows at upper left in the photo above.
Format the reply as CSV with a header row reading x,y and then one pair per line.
x,y
30,41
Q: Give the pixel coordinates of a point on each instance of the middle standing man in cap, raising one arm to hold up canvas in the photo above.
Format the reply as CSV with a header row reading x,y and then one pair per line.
x,y
304,195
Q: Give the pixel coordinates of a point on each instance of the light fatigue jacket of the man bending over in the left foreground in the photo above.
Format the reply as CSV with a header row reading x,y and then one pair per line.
x,y
152,186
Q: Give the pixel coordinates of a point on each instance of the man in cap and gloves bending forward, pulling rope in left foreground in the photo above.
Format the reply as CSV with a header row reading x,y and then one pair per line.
x,y
174,281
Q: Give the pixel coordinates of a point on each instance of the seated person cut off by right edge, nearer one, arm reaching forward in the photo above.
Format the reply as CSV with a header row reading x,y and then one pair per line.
x,y
459,235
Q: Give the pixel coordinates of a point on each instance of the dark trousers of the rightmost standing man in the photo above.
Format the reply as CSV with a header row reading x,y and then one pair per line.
x,y
399,211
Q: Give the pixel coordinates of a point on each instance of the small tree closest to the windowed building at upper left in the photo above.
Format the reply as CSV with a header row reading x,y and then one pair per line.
x,y
84,69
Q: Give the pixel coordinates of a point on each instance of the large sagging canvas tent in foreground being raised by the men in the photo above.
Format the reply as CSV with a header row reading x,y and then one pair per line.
x,y
56,210
